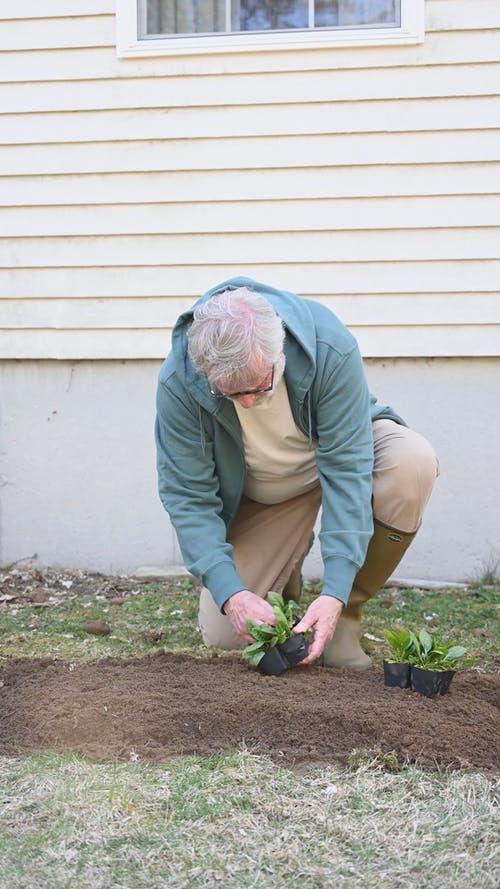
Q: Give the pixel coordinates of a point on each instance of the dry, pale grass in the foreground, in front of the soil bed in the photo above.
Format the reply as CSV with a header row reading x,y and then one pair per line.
x,y
236,820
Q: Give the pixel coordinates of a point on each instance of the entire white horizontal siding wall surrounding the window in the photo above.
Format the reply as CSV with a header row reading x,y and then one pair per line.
x,y
366,178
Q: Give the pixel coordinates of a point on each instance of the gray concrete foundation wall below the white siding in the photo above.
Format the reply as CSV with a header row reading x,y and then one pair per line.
x,y
77,464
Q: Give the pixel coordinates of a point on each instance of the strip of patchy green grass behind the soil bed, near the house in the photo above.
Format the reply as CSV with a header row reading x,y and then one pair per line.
x,y
164,615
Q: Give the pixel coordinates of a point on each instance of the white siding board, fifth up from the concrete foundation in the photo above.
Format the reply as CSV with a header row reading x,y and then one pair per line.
x,y
224,217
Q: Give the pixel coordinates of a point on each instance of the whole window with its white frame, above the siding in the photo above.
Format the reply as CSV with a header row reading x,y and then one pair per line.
x,y
151,27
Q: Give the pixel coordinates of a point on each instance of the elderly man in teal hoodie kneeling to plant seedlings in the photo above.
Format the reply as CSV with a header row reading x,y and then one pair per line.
x,y
263,417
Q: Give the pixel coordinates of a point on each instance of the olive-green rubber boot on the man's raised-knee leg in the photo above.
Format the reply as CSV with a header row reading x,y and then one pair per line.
x,y
385,551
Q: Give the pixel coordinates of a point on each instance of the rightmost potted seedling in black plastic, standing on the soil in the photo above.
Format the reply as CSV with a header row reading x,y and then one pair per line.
x,y
433,664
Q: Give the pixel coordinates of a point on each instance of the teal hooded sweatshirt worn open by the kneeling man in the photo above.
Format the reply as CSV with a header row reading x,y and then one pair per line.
x,y
200,458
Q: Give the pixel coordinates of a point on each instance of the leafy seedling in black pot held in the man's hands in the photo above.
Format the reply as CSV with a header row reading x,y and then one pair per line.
x,y
276,648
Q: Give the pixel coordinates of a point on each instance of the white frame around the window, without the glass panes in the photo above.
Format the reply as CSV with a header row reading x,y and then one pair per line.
x,y
129,45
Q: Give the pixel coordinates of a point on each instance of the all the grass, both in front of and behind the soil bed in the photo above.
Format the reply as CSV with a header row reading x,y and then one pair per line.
x,y
236,819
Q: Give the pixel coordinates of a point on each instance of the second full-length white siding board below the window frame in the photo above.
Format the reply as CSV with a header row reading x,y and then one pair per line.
x,y
289,119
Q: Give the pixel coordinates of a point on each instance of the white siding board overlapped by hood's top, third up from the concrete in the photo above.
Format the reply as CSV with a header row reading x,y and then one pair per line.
x,y
418,279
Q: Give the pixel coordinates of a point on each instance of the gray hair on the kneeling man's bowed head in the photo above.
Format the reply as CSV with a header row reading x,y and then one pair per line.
x,y
232,333
